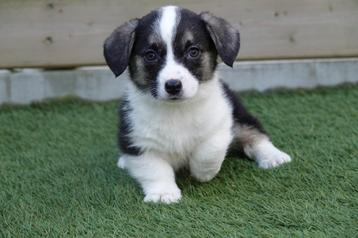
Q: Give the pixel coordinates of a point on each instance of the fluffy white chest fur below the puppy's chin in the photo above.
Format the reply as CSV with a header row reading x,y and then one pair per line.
x,y
177,128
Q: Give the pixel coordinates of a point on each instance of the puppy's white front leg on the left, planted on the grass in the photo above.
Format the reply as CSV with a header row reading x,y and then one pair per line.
x,y
154,174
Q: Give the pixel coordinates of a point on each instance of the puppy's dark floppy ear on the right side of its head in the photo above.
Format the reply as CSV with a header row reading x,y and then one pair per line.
x,y
225,37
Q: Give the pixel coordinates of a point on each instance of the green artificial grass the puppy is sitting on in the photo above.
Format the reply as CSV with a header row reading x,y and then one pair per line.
x,y
58,175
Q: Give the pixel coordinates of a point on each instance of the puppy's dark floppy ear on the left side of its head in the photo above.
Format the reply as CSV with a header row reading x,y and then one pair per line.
x,y
118,46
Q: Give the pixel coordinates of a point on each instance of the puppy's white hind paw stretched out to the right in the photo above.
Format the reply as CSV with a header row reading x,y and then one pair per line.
x,y
273,158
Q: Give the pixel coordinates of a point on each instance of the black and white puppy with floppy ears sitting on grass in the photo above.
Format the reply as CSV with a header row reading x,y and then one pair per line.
x,y
176,112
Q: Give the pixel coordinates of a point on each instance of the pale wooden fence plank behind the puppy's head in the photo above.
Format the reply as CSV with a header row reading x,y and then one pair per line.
x,y
66,33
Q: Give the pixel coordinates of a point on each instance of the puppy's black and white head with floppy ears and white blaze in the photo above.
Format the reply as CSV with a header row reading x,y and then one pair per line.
x,y
171,51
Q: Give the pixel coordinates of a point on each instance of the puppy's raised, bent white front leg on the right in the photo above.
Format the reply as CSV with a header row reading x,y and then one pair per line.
x,y
207,158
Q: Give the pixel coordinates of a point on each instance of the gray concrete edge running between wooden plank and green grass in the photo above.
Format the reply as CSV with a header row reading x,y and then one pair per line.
x,y
25,86
